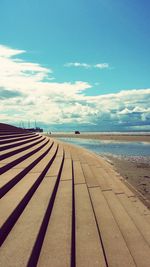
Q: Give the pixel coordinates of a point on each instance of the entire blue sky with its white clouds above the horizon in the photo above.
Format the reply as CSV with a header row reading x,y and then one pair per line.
x,y
75,65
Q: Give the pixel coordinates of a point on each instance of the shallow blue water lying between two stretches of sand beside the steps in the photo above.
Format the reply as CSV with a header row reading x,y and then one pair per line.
x,y
117,148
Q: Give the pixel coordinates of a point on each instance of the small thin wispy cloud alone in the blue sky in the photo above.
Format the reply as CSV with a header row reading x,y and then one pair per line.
x,y
87,66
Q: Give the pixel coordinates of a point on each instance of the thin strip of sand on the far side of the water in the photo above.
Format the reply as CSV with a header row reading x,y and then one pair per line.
x,y
113,137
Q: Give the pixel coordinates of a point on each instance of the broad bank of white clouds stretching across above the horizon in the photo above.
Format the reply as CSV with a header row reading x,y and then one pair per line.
x,y
32,96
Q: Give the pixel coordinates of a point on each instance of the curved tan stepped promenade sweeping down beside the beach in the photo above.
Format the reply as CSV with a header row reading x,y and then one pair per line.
x,y
69,188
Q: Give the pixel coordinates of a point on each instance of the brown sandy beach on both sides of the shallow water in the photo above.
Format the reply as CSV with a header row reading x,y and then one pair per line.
x,y
135,170
